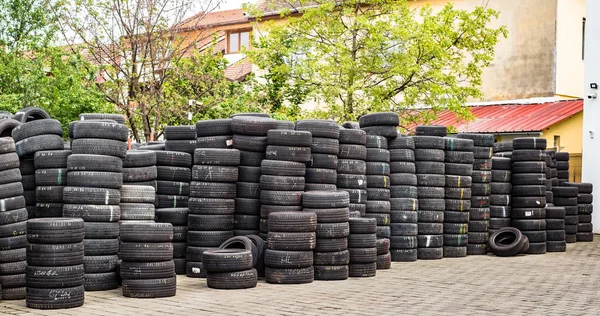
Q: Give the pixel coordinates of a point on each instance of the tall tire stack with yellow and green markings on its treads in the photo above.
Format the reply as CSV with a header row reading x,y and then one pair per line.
x,y
458,157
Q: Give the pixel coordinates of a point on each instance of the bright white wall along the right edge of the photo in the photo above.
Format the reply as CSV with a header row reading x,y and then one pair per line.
x,y
591,107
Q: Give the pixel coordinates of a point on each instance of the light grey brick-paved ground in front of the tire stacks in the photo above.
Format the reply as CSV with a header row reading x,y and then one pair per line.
x,y
551,284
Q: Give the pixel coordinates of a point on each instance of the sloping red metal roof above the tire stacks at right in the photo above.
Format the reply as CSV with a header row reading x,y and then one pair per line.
x,y
512,117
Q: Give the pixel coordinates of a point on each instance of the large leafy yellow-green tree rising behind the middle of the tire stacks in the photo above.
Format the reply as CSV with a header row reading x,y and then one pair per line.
x,y
358,56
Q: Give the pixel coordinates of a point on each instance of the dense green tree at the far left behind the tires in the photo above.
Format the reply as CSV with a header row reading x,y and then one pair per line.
x,y
33,73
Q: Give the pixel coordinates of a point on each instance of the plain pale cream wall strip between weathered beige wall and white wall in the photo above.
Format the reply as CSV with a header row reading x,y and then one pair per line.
x,y
569,65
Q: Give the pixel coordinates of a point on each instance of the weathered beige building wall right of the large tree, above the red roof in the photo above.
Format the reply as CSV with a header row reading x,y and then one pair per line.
x,y
524,62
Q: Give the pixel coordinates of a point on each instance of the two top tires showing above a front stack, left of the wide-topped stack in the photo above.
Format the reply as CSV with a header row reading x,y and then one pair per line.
x,y
214,134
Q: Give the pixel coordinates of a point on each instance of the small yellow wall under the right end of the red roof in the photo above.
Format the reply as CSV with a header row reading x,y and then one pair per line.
x,y
570,131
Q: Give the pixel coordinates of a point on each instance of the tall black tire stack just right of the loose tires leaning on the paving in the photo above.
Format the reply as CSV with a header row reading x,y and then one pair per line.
x,y
528,212
